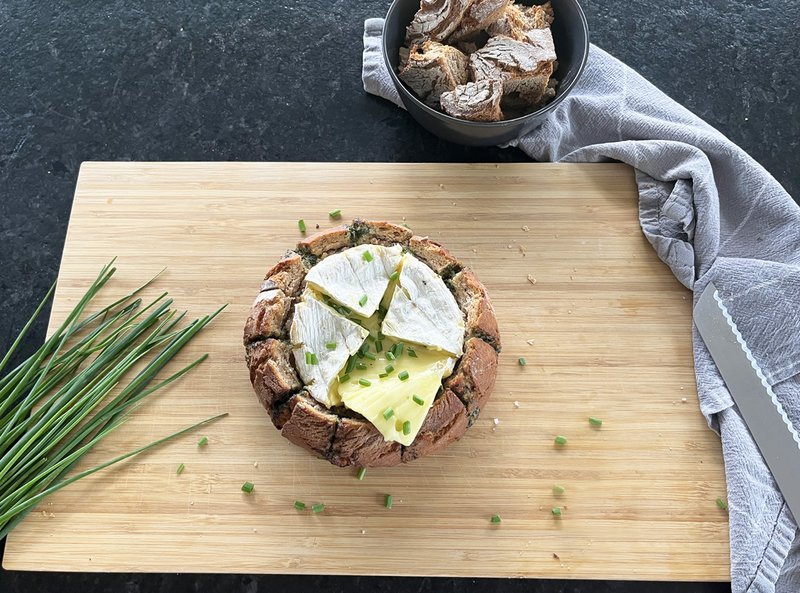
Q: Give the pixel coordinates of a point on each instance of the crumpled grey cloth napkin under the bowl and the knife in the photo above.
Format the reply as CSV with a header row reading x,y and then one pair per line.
x,y
711,213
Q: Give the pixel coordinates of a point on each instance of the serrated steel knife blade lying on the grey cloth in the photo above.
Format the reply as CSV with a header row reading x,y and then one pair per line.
x,y
764,415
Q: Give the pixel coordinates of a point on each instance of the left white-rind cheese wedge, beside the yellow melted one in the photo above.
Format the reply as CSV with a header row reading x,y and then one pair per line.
x,y
314,326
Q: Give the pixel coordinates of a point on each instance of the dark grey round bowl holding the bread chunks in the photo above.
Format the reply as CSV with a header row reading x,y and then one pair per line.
x,y
571,37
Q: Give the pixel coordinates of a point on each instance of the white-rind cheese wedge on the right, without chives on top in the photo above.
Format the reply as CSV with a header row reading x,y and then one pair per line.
x,y
423,310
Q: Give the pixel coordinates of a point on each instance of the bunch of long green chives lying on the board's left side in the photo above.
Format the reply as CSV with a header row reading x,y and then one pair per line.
x,y
78,387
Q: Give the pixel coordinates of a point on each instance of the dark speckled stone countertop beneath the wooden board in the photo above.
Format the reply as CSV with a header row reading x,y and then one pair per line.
x,y
280,80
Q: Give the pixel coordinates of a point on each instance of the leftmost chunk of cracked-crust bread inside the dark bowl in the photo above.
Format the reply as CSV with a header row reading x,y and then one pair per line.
x,y
432,69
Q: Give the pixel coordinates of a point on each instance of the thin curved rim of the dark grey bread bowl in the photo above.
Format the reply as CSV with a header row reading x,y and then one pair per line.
x,y
402,90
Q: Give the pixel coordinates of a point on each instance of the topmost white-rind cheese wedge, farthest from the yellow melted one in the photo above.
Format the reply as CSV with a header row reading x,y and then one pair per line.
x,y
355,280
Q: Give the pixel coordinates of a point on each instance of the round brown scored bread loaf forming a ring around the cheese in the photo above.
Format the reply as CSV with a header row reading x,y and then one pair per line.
x,y
338,434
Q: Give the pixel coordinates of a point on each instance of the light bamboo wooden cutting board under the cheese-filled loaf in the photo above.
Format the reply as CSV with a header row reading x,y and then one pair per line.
x,y
602,323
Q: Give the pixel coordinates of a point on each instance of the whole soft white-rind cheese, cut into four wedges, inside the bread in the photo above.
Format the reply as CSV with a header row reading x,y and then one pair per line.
x,y
376,330
